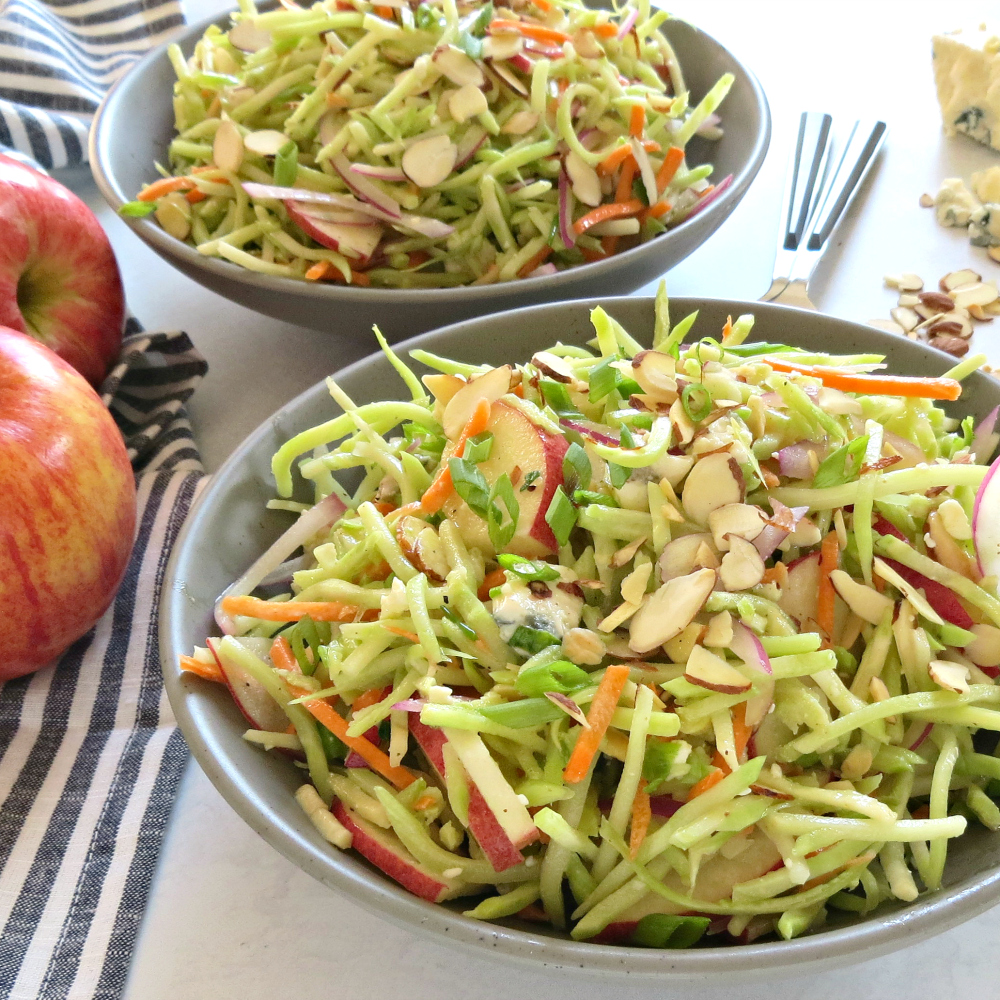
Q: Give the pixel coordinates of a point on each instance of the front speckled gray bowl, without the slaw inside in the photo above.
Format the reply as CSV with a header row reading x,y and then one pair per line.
x,y
230,527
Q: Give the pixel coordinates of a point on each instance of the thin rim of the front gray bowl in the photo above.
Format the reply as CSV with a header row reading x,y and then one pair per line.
x,y
341,871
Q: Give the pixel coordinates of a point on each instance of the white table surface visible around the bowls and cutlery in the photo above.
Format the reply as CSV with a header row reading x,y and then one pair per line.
x,y
228,917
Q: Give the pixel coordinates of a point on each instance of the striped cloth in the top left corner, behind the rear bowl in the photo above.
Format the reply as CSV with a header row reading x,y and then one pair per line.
x,y
57,59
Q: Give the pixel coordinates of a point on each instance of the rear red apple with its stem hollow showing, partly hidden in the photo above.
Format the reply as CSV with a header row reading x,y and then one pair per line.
x,y
59,281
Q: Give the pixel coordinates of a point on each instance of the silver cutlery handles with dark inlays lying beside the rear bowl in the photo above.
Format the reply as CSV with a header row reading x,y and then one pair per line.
x,y
817,193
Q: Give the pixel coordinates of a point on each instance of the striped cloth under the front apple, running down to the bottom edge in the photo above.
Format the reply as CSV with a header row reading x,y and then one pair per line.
x,y
90,755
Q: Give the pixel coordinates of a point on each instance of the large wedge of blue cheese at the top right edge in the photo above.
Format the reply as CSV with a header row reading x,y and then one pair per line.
x,y
967,74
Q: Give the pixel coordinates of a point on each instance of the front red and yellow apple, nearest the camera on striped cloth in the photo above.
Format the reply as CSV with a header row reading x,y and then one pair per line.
x,y
67,505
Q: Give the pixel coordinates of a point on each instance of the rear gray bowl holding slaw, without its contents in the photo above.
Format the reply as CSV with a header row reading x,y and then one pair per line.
x,y
134,125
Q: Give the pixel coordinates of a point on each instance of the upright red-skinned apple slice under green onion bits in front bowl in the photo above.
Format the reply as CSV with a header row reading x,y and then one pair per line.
x,y
517,443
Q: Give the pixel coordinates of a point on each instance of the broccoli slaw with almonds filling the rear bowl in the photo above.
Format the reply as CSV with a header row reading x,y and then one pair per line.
x,y
431,145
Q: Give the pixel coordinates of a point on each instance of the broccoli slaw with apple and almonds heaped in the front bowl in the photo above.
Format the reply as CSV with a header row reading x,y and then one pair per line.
x,y
665,647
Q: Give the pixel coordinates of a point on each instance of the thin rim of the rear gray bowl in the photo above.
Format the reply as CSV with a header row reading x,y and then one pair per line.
x,y
100,137
